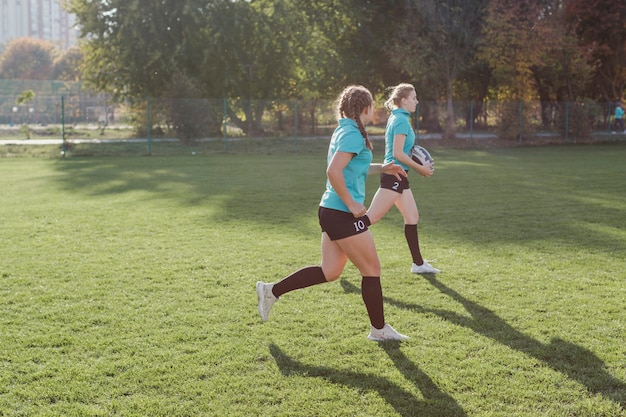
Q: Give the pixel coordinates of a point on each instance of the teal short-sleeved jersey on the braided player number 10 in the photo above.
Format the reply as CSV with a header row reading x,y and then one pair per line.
x,y
347,138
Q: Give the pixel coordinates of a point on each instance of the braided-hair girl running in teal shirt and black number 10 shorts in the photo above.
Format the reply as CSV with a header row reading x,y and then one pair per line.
x,y
342,216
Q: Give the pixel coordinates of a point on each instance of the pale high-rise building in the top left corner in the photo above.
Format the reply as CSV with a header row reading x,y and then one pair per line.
x,y
43,19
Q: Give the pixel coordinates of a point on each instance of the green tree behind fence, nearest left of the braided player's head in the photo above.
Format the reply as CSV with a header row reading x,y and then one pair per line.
x,y
252,51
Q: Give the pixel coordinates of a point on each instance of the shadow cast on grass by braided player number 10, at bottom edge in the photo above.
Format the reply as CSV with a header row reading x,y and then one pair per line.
x,y
435,402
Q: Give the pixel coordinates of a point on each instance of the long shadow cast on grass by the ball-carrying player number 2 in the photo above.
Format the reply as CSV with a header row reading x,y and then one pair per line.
x,y
573,361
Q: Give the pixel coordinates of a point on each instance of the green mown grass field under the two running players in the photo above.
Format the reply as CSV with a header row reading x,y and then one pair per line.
x,y
127,289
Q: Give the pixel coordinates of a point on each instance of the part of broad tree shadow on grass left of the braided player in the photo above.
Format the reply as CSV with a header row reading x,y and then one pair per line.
x,y
230,186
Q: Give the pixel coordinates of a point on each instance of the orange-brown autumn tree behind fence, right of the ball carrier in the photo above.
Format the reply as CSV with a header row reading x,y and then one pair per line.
x,y
533,52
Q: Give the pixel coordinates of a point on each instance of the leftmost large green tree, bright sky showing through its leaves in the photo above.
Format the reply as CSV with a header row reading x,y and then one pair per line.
x,y
130,46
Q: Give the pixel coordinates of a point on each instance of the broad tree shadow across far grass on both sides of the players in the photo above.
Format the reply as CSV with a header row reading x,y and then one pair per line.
x,y
583,212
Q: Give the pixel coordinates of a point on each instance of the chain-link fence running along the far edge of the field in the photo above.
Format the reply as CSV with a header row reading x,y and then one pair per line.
x,y
77,118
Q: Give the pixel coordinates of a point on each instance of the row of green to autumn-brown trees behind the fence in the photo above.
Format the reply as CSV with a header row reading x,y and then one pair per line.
x,y
258,51
